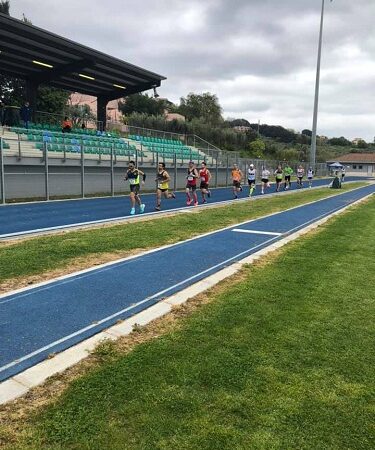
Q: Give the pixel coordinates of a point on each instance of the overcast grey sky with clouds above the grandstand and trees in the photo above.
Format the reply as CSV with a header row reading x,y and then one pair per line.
x,y
257,56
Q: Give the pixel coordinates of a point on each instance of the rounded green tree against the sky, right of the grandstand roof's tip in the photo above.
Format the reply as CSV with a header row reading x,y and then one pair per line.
x,y
201,106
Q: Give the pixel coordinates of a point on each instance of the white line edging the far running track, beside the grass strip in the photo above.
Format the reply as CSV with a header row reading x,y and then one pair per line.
x,y
181,209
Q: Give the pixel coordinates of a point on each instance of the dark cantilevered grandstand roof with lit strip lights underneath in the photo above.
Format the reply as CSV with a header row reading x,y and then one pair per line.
x,y
37,55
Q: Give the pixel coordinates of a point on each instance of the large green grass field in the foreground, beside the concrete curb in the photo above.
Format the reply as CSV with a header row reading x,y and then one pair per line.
x,y
281,359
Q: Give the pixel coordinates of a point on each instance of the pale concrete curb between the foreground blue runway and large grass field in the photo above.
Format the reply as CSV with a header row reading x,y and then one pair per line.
x,y
20,384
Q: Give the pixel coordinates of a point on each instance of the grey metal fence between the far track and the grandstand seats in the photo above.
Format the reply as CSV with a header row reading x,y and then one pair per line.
x,y
110,165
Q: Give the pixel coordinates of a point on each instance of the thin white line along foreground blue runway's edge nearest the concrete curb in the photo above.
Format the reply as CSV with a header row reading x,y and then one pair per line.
x,y
129,308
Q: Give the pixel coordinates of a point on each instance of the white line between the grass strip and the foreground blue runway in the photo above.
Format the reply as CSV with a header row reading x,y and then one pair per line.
x,y
98,268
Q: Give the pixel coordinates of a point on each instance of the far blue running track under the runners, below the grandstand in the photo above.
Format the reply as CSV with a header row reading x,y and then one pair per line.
x,y
30,218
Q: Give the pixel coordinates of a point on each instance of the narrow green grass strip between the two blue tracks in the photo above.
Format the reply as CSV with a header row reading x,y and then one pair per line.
x,y
38,255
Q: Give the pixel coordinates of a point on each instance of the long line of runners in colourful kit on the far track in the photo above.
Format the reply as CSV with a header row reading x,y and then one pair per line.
x,y
202,176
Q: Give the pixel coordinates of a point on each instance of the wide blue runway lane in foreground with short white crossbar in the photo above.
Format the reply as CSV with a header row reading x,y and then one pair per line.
x,y
53,316
